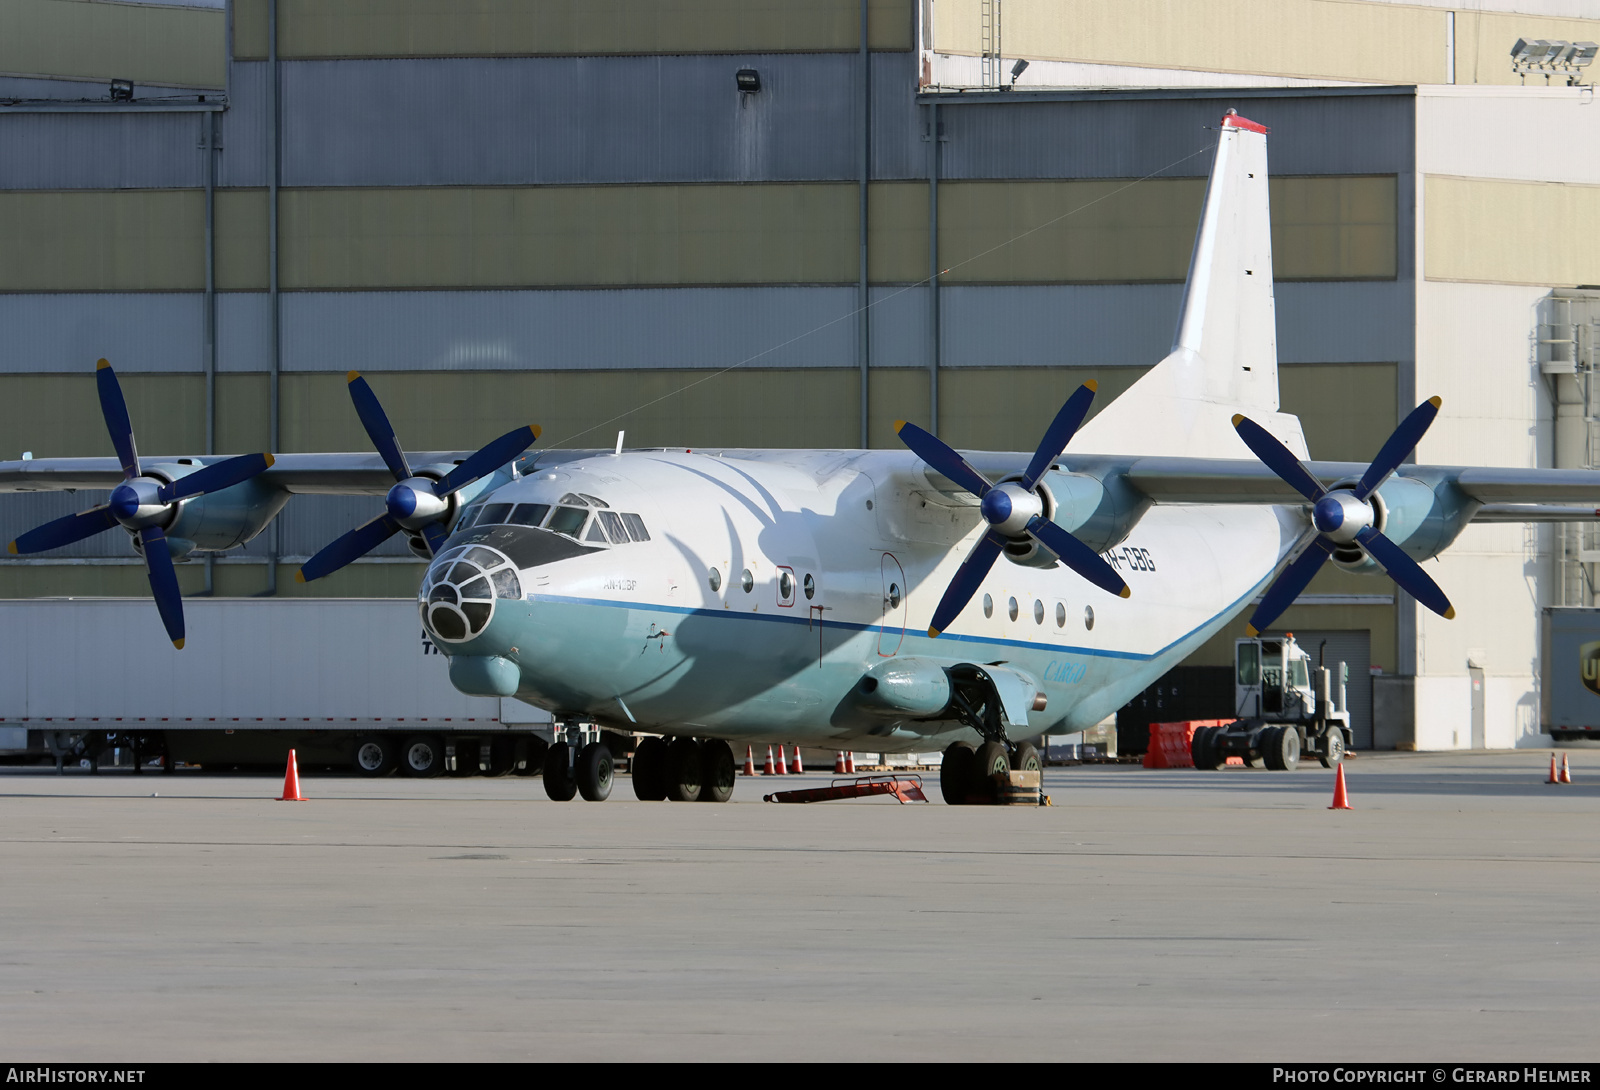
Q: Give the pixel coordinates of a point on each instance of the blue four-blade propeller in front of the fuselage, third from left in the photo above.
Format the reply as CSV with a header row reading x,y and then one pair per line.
x,y
1014,510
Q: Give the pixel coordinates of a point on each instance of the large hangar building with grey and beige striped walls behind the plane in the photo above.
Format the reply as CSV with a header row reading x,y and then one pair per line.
x,y
575,212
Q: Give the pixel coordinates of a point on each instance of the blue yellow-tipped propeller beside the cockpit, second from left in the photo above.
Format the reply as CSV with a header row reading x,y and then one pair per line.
x,y
420,505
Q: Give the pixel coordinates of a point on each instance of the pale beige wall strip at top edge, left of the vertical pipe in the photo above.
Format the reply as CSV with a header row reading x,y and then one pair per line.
x,y
1378,42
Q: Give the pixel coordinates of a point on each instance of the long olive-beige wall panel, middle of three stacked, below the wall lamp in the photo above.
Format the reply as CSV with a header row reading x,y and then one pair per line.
x,y
481,238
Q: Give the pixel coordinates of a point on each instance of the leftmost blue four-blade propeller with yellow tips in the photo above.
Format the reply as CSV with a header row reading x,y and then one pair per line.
x,y
145,507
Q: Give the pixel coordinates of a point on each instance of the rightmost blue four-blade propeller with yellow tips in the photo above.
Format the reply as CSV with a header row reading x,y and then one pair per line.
x,y
1342,518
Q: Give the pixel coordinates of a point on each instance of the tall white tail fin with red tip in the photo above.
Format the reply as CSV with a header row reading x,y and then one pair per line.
x,y
1225,356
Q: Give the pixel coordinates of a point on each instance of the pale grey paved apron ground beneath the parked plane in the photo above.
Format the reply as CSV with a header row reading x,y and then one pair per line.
x,y
1450,916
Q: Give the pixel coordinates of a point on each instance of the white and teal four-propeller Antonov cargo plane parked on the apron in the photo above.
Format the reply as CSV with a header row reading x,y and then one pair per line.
x,y
858,599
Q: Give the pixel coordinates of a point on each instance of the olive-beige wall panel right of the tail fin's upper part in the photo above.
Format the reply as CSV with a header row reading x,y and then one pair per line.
x,y
1335,228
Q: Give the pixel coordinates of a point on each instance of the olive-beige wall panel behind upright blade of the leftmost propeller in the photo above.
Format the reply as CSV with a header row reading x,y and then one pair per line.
x,y
58,415
